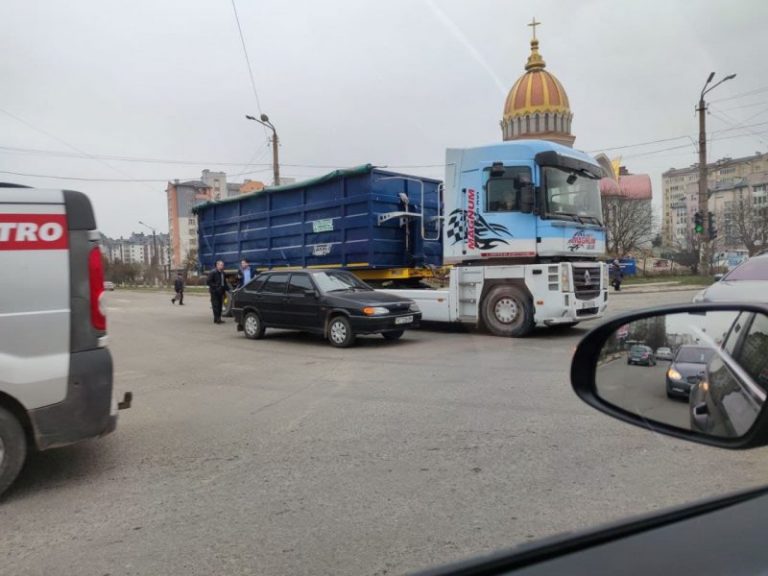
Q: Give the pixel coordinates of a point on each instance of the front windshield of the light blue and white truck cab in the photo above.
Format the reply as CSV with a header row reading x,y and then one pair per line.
x,y
572,196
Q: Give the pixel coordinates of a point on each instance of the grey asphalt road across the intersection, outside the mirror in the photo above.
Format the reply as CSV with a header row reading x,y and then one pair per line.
x,y
286,456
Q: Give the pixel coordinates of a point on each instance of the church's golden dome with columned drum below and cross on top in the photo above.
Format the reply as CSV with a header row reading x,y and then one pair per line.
x,y
537,106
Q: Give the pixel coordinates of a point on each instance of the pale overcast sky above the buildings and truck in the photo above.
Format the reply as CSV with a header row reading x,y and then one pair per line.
x,y
115,97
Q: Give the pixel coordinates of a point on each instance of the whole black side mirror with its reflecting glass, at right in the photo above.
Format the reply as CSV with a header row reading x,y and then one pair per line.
x,y
713,391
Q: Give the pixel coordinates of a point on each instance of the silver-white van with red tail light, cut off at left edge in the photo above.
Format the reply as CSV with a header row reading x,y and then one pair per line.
x,y
55,368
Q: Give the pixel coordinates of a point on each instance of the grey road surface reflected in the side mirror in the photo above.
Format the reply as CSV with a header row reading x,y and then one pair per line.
x,y
641,390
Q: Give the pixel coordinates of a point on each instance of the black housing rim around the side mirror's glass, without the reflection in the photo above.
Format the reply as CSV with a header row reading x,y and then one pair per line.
x,y
587,357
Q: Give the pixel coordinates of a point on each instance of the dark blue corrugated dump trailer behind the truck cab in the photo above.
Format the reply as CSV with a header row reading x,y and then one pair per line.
x,y
380,224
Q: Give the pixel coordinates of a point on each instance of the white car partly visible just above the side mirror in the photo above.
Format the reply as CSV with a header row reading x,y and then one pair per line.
x,y
745,283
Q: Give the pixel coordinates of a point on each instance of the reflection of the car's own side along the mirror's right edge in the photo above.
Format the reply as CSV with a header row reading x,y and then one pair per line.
x,y
728,400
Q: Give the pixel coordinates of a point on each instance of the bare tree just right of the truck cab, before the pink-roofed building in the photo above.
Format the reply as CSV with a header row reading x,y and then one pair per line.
x,y
628,223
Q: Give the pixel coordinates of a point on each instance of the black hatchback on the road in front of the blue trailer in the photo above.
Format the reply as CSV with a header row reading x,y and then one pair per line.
x,y
333,303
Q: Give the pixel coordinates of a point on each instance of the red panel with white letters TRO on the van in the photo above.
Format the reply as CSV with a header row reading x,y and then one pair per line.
x,y
33,232
